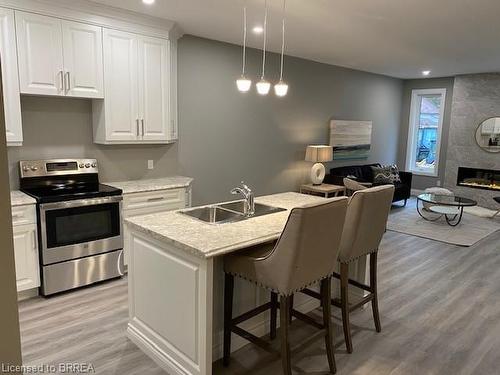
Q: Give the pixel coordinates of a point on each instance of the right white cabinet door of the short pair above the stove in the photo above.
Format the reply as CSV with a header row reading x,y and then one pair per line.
x,y
82,51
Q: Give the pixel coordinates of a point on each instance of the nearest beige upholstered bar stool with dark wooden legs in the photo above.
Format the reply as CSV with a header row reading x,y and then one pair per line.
x,y
305,253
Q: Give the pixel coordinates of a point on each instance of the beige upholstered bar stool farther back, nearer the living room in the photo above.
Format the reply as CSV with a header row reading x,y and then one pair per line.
x,y
364,227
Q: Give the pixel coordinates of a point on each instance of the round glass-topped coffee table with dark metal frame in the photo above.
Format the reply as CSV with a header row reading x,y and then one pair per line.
x,y
451,207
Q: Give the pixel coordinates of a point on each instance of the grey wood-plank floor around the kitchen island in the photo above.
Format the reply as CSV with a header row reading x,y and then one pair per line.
x,y
439,305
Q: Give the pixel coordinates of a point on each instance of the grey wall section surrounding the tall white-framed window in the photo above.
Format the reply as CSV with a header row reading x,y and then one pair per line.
x,y
422,182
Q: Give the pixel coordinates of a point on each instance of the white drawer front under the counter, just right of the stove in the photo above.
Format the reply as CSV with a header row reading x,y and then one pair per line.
x,y
149,202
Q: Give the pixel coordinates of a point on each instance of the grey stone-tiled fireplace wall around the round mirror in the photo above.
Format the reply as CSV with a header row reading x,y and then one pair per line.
x,y
476,98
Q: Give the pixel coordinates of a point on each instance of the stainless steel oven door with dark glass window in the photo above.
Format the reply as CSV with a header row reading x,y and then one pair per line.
x,y
79,228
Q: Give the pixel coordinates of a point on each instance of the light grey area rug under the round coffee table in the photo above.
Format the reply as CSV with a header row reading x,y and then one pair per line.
x,y
472,228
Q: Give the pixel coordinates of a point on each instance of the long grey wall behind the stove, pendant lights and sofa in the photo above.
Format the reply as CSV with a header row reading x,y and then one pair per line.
x,y
226,136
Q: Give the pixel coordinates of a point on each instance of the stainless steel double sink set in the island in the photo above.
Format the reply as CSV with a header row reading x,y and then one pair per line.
x,y
229,212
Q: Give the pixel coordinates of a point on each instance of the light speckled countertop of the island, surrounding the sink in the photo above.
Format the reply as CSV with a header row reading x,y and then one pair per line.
x,y
209,240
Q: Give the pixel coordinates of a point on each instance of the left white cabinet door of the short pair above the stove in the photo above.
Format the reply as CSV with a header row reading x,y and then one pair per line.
x,y
39,42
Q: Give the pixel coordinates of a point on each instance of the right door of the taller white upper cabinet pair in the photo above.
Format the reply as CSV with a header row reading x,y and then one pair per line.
x,y
154,88
